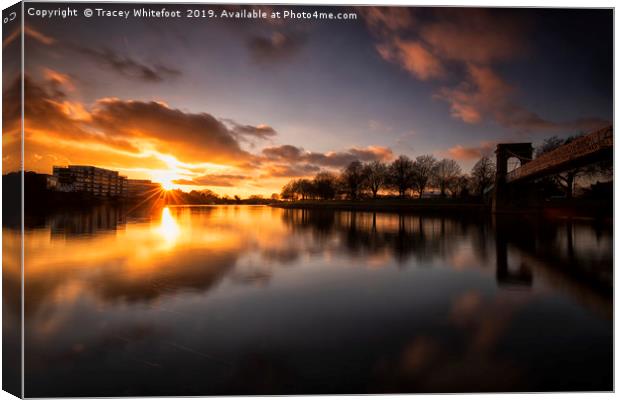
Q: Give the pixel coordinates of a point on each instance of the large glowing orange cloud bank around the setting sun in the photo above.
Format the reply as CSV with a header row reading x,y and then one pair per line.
x,y
134,135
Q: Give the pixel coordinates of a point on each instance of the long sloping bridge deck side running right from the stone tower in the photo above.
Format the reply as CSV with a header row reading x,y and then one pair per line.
x,y
578,148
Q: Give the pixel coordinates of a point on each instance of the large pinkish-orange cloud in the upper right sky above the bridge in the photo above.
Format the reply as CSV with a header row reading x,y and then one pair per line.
x,y
466,43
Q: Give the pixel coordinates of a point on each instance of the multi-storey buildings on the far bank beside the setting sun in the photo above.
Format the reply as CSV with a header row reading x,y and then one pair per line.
x,y
98,182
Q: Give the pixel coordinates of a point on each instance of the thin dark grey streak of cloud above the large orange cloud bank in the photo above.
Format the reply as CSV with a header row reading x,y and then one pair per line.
x,y
127,66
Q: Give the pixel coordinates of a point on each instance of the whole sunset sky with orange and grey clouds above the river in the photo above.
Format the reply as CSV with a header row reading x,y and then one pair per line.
x,y
242,106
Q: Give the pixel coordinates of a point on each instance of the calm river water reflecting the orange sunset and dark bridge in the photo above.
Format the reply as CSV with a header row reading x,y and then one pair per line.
x,y
260,300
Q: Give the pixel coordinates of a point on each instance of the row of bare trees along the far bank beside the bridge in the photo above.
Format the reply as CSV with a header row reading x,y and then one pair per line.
x,y
404,177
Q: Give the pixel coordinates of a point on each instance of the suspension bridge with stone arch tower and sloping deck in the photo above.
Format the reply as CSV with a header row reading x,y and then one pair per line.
x,y
593,147
